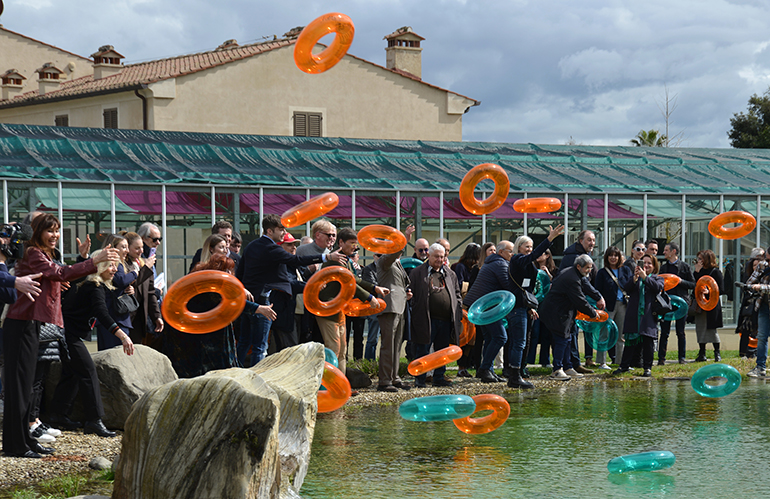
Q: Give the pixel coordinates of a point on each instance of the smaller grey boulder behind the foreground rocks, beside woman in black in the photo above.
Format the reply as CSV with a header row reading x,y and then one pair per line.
x,y
124,379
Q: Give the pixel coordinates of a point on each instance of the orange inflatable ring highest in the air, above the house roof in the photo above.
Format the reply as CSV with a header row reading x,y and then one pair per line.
x,y
334,22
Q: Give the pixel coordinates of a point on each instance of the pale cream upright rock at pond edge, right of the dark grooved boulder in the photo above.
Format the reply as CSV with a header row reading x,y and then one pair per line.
x,y
295,375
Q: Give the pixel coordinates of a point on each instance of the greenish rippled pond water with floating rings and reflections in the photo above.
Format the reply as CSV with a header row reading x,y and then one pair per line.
x,y
554,444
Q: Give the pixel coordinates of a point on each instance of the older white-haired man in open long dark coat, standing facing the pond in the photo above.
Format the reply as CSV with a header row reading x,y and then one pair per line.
x,y
436,310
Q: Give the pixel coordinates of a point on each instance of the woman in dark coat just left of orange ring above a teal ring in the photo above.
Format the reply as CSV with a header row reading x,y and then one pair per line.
x,y
641,325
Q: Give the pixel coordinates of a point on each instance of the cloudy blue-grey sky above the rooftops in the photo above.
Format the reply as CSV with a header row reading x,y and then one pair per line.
x,y
545,71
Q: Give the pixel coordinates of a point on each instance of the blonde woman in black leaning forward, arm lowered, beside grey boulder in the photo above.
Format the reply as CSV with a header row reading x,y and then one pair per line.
x,y
82,304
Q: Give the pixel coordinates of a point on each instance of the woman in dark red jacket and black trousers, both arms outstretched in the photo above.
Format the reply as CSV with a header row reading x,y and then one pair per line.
x,y
22,327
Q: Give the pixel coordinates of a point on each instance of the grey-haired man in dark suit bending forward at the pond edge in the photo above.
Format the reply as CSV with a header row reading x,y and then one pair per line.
x,y
557,311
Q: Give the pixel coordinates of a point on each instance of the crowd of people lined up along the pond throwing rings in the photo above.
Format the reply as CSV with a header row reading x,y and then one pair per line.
x,y
52,308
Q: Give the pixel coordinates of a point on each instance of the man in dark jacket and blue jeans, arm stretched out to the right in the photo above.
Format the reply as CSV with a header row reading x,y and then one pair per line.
x,y
262,270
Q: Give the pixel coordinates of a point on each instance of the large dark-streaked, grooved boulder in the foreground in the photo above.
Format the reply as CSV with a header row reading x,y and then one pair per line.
x,y
215,436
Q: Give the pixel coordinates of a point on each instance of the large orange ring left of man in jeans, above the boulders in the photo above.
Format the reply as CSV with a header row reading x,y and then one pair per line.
x,y
177,315
